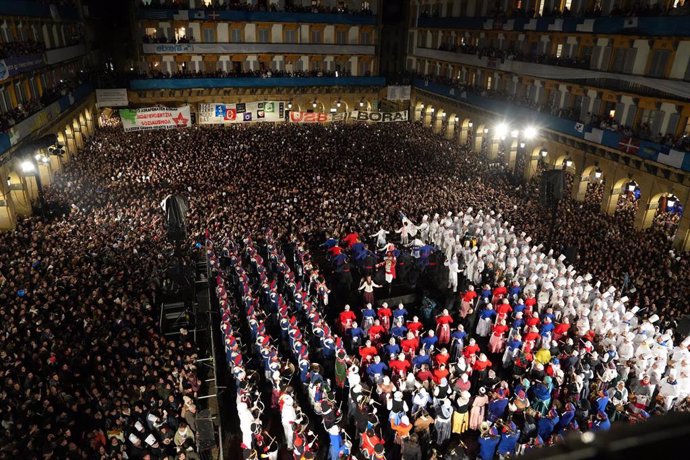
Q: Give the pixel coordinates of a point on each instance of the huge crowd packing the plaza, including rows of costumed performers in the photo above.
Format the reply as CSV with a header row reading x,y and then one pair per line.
x,y
86,374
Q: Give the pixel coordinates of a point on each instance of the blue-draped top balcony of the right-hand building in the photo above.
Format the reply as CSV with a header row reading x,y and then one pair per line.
x,y
659,26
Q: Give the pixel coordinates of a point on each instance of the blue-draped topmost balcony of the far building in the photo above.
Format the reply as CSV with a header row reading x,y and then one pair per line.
x,y
256,16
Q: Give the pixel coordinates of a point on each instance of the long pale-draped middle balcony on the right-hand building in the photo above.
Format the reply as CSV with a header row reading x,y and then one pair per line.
x,y
677,88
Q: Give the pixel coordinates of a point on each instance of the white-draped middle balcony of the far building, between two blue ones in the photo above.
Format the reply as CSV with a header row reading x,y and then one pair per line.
x,y
257,48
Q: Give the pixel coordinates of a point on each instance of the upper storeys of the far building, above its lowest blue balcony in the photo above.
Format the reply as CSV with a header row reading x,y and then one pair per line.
x,y
330,37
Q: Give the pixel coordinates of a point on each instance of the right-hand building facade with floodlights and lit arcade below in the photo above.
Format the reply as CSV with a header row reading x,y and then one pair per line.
x,y
607,95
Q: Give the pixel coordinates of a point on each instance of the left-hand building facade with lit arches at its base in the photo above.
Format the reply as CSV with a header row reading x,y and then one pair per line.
x,y
44,89
